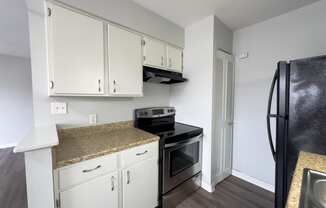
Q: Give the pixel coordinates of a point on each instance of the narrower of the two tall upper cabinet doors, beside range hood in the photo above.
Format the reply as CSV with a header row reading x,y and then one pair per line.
x,y
125,62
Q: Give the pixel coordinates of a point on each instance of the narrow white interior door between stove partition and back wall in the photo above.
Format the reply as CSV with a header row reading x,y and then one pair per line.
x,y
225,99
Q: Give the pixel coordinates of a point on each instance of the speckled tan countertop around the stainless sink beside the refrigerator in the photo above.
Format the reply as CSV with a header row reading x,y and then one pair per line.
x,y
306,160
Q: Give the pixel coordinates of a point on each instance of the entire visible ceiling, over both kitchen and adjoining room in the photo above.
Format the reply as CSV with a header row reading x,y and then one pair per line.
x,y
14,39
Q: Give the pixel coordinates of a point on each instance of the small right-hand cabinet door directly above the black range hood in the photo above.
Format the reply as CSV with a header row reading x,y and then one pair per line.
x,y
174,58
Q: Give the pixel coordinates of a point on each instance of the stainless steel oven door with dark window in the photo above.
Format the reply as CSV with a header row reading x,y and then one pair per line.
x,y
181,161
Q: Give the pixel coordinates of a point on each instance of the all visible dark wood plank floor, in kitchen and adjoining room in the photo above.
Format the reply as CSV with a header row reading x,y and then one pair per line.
x,y
231,193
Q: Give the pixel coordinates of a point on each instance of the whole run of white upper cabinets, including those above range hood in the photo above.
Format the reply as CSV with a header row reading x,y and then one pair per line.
x,y
85,59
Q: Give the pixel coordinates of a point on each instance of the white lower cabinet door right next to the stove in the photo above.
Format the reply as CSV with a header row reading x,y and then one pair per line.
x,y
140,185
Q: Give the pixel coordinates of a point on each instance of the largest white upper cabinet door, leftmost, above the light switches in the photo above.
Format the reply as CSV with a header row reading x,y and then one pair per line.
x,y
76,52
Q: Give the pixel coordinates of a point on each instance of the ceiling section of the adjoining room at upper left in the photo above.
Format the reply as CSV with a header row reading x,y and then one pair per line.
x,y
14,39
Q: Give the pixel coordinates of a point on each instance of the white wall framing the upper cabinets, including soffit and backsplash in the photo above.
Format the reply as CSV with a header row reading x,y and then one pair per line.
x,y
108,109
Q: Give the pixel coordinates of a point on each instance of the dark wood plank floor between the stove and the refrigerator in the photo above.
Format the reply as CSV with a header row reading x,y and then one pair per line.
x,y
231,193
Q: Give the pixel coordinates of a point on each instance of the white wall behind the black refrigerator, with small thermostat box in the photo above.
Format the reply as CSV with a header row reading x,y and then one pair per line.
x,y
298,34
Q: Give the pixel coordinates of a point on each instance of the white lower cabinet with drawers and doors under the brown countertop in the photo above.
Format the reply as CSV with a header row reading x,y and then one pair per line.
x,y
102,183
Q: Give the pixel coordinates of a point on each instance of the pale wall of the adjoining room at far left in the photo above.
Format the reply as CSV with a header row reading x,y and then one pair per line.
x,y
16,99
